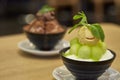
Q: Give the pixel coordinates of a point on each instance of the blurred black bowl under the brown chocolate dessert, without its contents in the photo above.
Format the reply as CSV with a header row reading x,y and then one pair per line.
x,y
44,41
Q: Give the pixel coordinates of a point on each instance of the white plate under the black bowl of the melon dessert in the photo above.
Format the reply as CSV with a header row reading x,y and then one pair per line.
x,y
61,73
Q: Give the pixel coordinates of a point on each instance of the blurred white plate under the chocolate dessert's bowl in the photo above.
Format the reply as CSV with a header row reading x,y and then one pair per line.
x,y
27,46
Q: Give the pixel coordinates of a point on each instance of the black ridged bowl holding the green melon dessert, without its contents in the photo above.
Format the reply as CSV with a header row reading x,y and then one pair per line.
x,y
84,70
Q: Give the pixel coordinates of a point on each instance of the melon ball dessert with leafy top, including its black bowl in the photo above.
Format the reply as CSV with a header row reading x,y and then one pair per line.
x,y
87,58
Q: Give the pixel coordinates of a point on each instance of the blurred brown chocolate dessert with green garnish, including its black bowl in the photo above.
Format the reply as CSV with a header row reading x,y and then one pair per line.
x,y
44,31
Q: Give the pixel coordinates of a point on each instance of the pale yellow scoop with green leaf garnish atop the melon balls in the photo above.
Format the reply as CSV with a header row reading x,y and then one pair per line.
x,y
88,32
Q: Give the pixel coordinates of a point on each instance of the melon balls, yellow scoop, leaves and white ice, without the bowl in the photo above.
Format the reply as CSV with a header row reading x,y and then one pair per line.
x,y
89,44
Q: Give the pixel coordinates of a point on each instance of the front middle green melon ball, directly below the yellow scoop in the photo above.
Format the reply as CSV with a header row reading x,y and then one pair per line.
x,y
84,52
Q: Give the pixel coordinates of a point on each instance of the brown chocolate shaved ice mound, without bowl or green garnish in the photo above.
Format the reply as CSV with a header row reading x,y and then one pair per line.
x,y
44,23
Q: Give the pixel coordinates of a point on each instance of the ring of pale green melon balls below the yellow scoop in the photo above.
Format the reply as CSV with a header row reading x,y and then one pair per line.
x,y
85,51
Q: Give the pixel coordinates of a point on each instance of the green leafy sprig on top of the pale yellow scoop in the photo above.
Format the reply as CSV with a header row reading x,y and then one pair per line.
x,y
96,29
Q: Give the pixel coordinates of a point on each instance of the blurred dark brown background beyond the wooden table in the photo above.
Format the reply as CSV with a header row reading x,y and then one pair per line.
x,y
13,13
